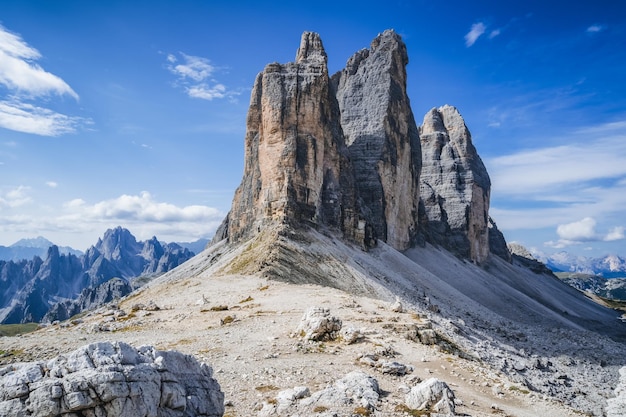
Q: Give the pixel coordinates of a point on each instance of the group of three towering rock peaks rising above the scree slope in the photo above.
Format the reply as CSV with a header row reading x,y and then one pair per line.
x,y
344,153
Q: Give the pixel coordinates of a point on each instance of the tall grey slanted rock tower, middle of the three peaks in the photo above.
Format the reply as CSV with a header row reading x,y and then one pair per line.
x,y
382,137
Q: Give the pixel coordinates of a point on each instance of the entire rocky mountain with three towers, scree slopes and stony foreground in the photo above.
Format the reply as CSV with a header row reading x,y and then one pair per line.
x,y
358,273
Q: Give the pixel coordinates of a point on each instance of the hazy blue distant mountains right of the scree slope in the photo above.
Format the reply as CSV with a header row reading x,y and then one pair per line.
x,y
610,266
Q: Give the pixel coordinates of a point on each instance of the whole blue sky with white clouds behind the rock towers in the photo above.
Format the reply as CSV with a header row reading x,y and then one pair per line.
x,y
133,113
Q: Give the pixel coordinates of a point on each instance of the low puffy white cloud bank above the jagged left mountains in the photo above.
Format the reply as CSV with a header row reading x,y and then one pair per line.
x,y
79,223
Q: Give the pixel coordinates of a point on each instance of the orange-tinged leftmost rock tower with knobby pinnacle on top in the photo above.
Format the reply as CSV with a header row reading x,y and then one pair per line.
x,y
294,166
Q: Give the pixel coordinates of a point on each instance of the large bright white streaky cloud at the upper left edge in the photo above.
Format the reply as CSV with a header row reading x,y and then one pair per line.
x,y
25,80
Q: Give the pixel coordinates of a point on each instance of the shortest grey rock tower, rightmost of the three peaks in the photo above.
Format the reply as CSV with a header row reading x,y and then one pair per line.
x,y
455,186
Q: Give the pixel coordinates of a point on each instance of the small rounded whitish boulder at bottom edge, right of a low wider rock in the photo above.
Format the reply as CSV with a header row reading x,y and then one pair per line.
x,y
433,395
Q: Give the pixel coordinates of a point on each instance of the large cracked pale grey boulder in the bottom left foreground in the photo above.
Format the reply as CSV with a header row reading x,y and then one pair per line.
x,y
111,379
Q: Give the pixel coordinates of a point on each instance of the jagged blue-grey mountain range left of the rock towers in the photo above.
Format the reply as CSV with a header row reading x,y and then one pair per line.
x,y
32,287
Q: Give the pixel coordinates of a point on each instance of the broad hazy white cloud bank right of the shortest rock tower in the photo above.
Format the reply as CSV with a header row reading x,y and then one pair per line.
x,y
557,186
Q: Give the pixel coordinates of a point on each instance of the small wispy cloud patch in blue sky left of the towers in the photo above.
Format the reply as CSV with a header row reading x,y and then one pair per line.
x,y
195,75
